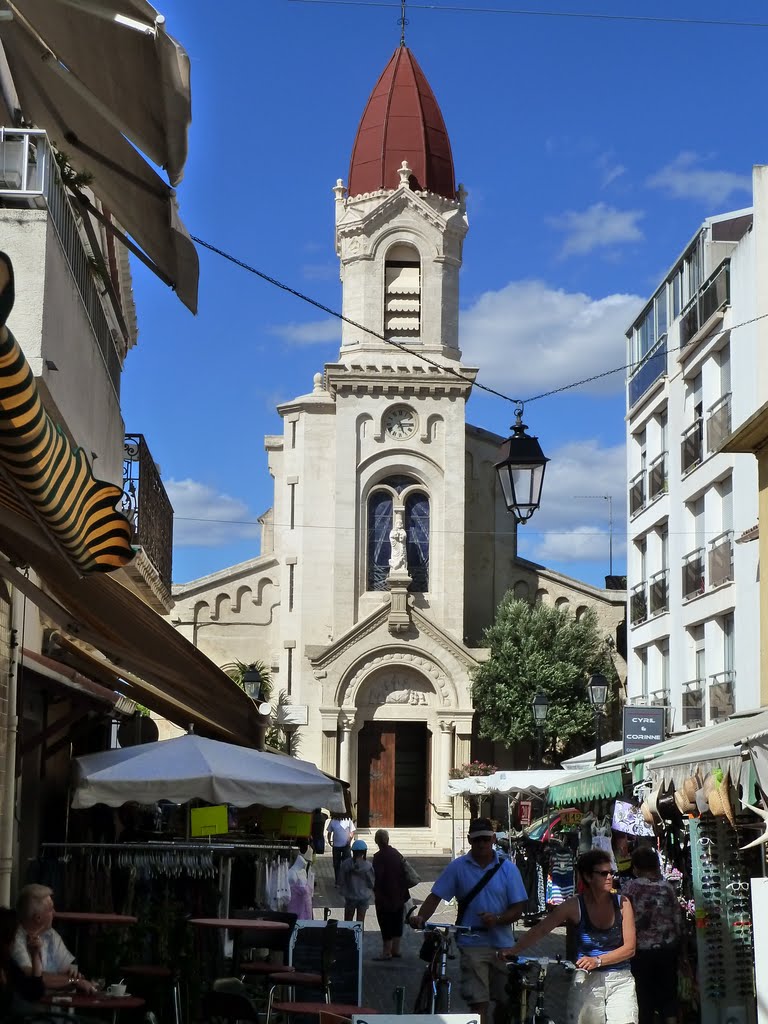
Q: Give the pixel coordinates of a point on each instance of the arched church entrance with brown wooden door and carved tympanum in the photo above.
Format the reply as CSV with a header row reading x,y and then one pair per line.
x,y
397,716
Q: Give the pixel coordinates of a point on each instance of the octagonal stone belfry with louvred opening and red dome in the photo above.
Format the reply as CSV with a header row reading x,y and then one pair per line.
x,y
401,223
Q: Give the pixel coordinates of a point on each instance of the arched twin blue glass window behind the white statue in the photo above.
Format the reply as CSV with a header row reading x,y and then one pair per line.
x,y
399,495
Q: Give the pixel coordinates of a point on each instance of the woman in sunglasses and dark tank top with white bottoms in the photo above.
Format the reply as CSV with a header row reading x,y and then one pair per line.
x,y
604,924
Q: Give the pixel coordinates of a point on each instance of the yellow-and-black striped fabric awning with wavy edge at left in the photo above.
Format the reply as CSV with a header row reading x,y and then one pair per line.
x,y
55,477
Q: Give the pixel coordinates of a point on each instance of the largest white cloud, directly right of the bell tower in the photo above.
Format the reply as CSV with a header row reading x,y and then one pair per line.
x,y
529,337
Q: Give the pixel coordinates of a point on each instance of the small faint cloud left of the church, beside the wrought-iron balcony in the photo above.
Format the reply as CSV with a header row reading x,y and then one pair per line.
x,y
208,519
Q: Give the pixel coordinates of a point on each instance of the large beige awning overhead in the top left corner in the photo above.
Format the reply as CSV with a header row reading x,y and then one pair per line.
x,y
96,74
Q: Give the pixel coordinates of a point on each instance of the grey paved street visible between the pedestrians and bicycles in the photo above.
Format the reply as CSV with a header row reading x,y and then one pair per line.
x,y
380,979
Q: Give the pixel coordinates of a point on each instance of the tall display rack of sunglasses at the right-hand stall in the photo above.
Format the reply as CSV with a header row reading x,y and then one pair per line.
x,y
724,929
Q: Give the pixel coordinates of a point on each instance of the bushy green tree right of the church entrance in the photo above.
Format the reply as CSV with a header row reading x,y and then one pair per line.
x,y
540,648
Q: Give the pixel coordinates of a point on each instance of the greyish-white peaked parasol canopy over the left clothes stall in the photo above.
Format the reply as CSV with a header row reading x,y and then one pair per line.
x,y
194,769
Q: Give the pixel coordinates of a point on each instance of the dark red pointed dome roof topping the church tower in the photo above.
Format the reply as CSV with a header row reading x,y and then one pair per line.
x,y
402,121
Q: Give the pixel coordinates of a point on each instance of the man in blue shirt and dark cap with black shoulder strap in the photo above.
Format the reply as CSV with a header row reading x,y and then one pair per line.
x,y
490,915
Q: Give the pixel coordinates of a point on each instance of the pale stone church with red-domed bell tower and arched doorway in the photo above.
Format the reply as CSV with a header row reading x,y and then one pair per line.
x,y
389,545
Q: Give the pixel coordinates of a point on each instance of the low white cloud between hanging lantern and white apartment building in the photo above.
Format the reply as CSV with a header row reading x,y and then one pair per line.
x,y
573,524
